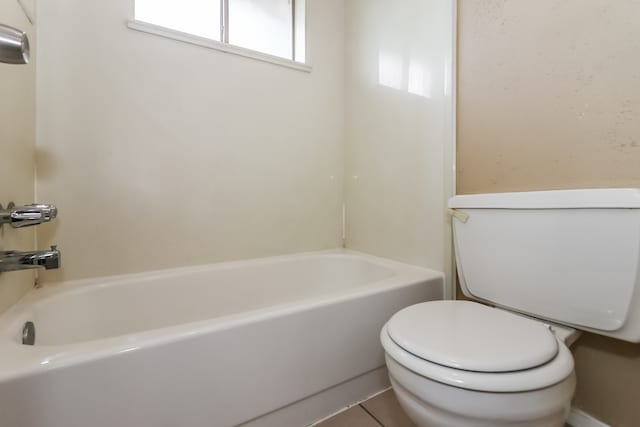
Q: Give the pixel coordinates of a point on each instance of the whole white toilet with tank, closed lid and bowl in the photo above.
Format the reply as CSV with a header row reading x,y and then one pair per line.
x,y
543,259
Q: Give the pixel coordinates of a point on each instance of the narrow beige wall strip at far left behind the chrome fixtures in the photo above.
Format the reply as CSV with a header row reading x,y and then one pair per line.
x,y
17,130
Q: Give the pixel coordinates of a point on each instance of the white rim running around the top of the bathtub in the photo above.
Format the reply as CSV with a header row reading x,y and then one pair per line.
x,y
18,361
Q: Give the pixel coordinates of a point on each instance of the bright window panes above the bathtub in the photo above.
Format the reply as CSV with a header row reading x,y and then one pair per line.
x,y
273,27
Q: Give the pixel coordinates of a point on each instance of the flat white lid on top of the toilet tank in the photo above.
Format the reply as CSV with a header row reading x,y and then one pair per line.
x,y
604,198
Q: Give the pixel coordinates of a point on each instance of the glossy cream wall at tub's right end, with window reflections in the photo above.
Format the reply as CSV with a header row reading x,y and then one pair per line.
x,y
399,129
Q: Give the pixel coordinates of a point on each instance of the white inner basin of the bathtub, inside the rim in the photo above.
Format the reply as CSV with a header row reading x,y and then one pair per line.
x,y
148,302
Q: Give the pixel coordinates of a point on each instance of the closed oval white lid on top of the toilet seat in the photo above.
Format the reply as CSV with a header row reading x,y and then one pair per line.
x,y
473,337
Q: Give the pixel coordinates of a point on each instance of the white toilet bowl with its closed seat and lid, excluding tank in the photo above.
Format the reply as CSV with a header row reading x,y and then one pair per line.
x,y
442,393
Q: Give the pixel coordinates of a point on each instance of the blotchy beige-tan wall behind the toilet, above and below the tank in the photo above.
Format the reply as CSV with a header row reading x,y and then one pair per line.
x,y
549,97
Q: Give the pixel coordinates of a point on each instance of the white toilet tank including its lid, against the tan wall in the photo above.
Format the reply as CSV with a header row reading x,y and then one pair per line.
x,y
570,256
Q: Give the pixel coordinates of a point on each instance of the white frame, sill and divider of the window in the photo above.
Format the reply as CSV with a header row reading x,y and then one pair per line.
x,y
225,46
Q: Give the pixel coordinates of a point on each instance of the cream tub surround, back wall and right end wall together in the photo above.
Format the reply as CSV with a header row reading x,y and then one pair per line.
x,y
163,154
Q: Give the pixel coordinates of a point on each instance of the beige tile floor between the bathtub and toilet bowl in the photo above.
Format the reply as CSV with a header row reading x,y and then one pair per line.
x,y
380,411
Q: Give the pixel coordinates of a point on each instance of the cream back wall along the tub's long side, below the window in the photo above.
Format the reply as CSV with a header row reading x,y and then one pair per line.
x,y
162,154
